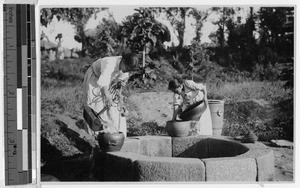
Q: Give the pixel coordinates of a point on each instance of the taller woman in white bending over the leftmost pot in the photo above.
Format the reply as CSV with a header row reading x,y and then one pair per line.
x,y
103,84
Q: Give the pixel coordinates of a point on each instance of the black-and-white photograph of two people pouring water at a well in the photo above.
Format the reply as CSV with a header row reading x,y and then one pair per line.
x,y
193,94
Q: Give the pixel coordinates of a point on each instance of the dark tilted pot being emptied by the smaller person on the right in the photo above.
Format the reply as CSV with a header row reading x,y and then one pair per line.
x,y
194,111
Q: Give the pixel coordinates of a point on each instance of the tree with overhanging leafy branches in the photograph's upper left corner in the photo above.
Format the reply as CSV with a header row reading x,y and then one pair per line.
x,y
75,16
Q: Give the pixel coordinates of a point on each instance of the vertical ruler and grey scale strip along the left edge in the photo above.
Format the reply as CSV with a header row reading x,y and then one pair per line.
x,y
19,93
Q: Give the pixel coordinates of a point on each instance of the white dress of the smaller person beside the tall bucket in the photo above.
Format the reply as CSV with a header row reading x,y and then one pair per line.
x,y
193,92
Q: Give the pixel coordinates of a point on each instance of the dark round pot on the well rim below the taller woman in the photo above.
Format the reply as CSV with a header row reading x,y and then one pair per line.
x,y
110,142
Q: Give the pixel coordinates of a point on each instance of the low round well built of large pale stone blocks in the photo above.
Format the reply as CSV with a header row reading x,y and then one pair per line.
x,y
192,158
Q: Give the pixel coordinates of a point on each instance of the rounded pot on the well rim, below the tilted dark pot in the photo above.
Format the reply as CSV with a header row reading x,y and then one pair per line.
x,y
178,128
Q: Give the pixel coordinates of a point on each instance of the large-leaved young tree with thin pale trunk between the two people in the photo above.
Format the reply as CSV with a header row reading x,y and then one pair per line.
x,y
141,31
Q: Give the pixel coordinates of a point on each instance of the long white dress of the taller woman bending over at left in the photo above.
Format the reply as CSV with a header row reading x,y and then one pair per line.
x,y
105,72
